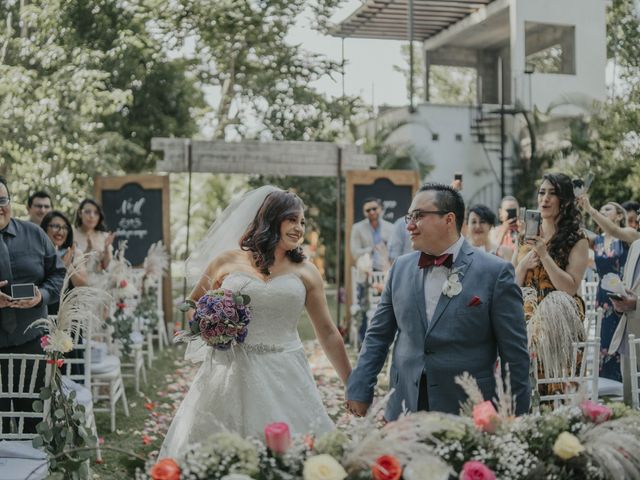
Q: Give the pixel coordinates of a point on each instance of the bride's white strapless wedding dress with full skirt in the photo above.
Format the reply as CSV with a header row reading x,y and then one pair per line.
x,y
267,379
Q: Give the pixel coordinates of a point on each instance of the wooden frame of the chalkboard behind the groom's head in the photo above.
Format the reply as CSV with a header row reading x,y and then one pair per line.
x,y
355,178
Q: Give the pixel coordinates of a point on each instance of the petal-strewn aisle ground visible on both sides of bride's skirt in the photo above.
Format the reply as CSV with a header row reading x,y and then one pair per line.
x,y
178,382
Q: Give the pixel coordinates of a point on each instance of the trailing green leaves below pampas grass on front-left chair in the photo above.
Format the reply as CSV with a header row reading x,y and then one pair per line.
x,y
64,434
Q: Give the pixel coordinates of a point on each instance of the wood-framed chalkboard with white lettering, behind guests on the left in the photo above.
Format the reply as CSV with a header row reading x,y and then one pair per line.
x,y
136,209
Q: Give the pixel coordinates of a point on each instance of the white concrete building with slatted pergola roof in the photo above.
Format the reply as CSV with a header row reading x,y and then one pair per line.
x,y
526,54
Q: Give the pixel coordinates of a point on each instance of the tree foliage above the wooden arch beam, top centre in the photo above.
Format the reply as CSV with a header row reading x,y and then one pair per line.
x,y
263,81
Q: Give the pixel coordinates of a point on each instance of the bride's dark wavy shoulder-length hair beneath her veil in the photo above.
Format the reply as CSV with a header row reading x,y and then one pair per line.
x,y
263,234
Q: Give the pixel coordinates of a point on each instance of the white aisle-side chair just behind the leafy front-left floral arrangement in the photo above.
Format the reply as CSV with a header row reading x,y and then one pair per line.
x,y
106,375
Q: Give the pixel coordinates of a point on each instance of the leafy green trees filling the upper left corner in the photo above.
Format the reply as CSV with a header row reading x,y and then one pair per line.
x,y
83,86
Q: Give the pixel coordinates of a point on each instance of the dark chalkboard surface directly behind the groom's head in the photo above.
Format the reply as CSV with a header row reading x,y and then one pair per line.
x,y
395,199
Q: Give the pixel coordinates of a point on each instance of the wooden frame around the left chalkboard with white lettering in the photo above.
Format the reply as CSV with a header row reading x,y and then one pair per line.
x,y
147,182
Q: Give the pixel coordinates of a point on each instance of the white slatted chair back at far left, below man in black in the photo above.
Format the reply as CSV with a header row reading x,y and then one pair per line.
x,y
18,373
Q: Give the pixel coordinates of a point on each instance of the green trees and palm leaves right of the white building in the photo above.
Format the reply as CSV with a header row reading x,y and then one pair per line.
x,y
606,141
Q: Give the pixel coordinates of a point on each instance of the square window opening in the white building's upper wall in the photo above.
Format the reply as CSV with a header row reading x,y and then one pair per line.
x,y
550,48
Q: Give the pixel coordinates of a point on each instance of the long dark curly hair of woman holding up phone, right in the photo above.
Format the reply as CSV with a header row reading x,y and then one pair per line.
x,y
568,229
